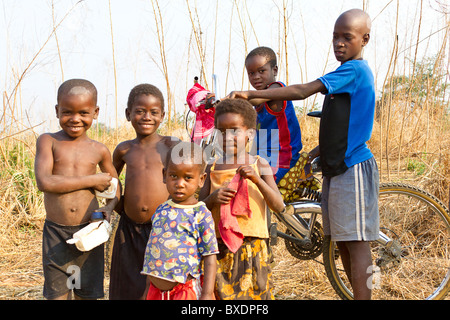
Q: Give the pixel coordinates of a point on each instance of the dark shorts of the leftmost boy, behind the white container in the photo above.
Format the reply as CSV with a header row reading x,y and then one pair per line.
x,y
66,268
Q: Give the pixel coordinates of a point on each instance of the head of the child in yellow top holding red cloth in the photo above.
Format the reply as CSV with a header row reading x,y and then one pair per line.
x,y
235,120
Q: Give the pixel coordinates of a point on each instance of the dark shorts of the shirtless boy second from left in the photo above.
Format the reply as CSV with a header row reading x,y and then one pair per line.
x,y
130,242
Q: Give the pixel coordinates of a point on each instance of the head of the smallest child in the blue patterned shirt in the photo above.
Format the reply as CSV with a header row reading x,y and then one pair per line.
x,y
184,172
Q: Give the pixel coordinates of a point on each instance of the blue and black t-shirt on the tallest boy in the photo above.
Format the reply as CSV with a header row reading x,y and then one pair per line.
x,y
347,116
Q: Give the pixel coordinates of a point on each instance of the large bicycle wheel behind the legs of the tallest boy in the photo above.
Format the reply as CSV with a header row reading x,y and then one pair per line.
x,y
419,225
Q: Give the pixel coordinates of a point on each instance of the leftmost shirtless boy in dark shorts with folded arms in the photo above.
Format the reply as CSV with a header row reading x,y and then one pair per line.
x,y
66,171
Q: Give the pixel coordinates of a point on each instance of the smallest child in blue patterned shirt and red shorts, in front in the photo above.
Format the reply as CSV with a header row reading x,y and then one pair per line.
x,y
183,233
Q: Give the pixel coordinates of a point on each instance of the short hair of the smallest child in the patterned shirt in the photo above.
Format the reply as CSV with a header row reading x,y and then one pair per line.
x,y
183,151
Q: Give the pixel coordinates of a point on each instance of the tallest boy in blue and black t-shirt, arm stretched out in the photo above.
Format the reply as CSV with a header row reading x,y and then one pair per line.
x,y
350,186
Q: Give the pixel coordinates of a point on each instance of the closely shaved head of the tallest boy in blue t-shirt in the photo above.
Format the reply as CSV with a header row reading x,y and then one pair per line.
x,y
351,34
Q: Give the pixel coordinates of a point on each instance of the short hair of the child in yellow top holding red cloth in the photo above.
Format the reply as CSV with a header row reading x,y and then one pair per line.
x,y
237,106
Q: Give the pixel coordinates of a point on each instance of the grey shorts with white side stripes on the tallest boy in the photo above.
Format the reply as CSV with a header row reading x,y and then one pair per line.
x,y
350,203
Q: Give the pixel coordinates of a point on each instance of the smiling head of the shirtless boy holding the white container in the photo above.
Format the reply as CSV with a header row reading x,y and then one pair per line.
x,y
77,106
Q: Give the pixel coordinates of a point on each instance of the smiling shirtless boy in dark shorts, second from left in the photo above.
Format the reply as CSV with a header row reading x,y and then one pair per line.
x,y
144,190
